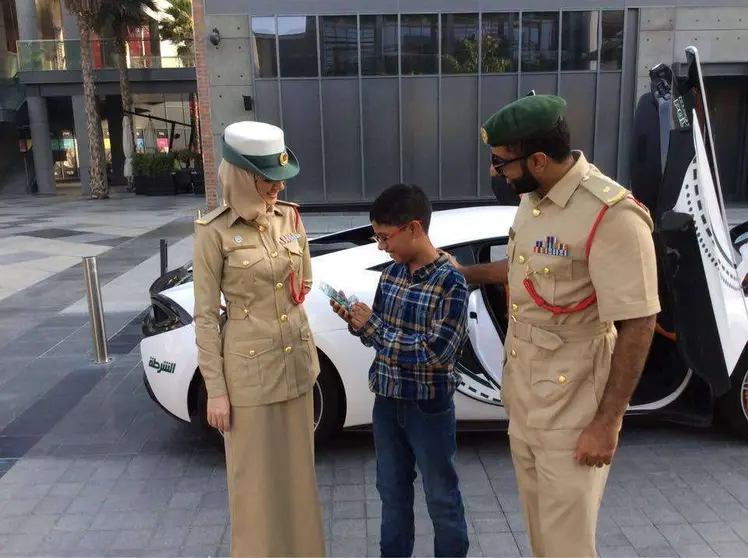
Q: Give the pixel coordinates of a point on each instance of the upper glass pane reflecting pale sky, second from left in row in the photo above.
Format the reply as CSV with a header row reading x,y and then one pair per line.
x,y
297,46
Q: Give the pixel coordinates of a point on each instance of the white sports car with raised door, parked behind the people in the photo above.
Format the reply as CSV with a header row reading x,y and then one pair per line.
x,y
697,364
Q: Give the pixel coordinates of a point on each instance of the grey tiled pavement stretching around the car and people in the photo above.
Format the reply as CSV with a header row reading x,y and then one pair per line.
x,y
89,466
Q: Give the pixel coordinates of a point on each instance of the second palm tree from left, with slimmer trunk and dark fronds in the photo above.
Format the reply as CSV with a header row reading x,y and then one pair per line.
x,y
124,17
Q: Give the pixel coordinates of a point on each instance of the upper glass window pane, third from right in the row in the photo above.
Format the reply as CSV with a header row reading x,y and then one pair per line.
x,y
540,41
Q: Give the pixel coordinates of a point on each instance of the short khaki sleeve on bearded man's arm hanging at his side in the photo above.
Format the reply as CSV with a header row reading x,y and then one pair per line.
x,y
623,264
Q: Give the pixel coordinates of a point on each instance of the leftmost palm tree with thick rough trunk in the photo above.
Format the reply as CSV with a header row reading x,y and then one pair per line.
x,y
86,12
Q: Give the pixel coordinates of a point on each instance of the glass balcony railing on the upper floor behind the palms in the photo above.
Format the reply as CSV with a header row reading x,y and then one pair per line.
x,y
51,55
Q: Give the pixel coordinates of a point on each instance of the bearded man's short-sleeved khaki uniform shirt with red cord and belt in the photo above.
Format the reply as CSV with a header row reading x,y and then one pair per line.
x,y
557,364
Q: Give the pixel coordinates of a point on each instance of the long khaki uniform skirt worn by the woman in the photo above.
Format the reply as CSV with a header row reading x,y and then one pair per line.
x,y
273,498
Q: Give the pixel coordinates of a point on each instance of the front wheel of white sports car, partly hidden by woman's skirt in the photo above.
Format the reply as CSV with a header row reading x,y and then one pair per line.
x,y
328,401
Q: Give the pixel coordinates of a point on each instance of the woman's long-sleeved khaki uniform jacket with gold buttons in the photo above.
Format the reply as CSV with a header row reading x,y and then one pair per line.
x,y
265,352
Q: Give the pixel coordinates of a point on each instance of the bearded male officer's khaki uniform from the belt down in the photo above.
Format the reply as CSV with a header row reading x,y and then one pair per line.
x,y
554,379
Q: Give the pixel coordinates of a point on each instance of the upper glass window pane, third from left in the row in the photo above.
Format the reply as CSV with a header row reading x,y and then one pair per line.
x,y
339,45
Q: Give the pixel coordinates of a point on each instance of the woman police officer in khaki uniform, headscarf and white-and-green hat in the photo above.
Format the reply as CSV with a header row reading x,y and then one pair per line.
x,y
259,369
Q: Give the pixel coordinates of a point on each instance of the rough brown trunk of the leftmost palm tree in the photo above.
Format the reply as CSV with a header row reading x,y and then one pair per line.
x,y
99,186
